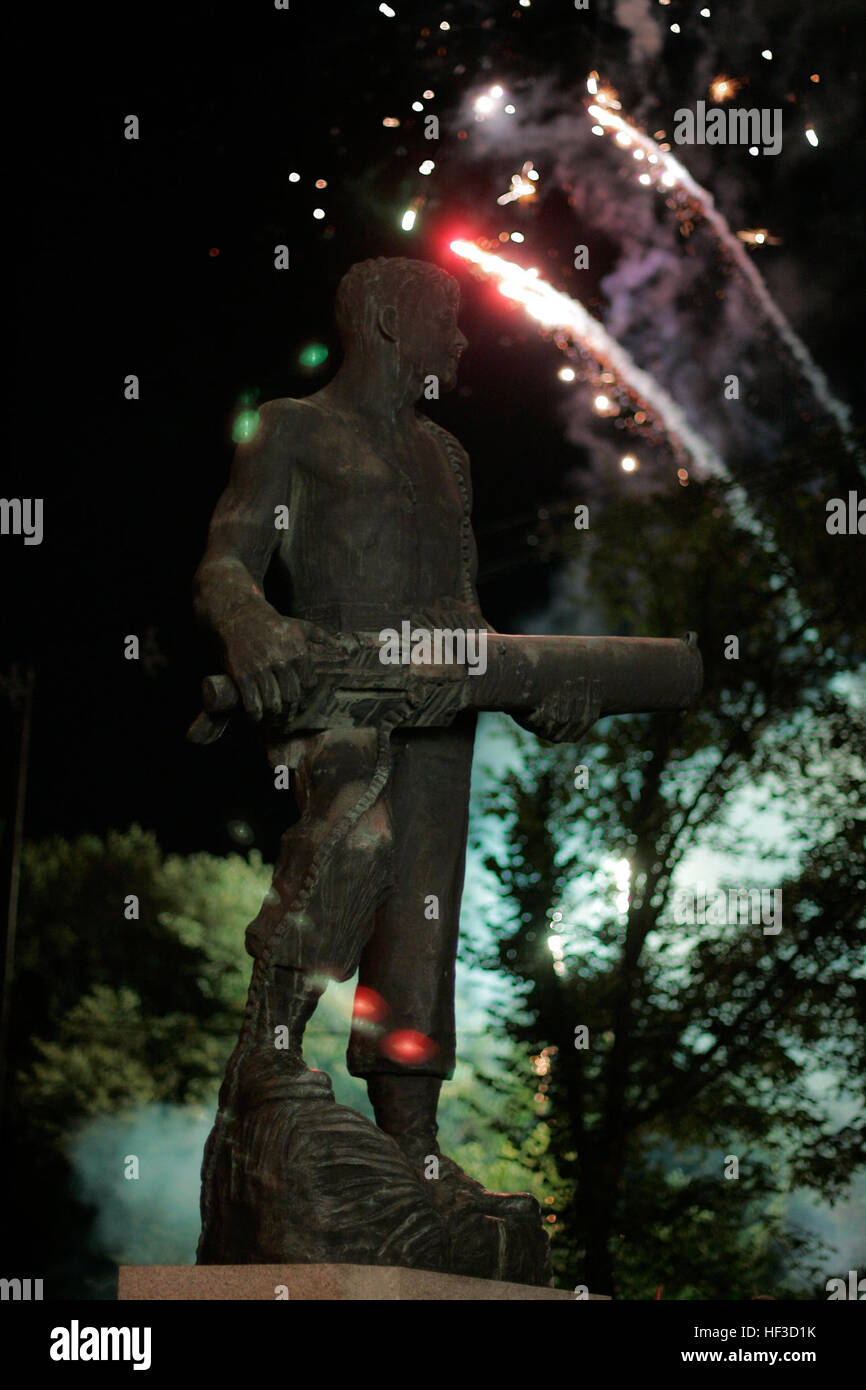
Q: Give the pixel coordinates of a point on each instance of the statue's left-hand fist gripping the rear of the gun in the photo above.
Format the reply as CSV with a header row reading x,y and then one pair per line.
x,y
269,660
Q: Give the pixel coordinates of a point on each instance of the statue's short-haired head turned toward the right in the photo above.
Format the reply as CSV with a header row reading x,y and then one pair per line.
x,y
409,304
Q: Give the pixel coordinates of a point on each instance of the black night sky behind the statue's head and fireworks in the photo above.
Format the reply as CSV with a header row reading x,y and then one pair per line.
x,y
115,275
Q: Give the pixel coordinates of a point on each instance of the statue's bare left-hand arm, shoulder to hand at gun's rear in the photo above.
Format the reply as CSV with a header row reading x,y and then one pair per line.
x,y
263,650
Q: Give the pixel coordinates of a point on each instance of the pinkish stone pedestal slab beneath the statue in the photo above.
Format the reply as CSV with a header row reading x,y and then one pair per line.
x,y
327,1284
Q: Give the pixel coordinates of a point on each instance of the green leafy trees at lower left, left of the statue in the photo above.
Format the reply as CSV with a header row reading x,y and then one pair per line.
x,y
130,989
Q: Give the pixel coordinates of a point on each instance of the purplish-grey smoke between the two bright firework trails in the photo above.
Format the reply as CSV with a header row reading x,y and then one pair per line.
x,y
682,300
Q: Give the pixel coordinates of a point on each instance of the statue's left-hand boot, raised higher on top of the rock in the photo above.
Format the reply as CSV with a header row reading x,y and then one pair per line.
x,y
273,1068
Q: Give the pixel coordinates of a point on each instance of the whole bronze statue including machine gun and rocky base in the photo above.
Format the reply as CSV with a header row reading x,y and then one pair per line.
x,y
379,550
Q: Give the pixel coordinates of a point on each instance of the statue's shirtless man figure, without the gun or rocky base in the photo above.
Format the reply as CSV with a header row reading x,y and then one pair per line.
x,y
379,502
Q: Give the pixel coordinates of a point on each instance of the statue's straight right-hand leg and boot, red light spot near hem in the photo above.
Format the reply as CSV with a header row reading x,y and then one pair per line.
x,y
409,960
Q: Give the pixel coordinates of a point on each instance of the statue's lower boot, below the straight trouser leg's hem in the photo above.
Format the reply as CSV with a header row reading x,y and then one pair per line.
x,y
405,1107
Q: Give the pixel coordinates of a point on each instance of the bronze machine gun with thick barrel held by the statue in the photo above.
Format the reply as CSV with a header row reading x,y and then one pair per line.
x,y
355,687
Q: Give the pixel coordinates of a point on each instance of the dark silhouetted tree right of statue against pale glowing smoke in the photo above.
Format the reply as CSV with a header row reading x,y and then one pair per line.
x,y
703,1039
